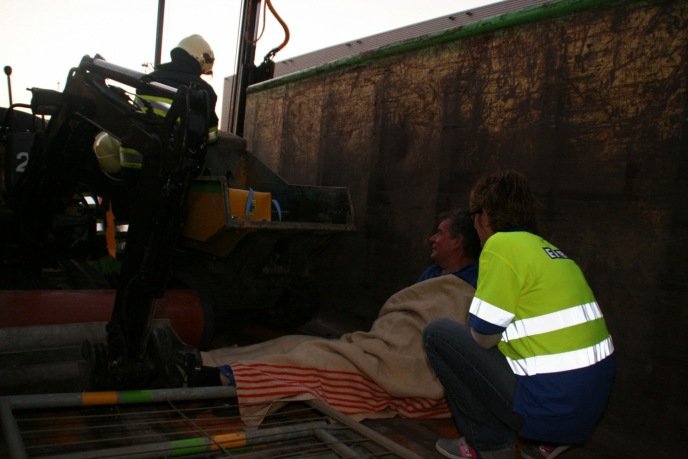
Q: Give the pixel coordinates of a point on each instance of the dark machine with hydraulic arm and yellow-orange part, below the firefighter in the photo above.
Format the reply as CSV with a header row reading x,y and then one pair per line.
x,y
207,217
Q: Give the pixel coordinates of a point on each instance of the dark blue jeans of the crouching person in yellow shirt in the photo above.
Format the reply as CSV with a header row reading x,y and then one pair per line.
x,y
478,383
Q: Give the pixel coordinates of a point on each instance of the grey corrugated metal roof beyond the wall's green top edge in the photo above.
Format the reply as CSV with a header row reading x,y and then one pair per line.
x,y
459,19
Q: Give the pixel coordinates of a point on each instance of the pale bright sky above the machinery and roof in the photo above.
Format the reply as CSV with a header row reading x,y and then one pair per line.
x,y
42,39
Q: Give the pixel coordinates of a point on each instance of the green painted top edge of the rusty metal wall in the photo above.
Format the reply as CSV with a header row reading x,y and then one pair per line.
x,y
555,9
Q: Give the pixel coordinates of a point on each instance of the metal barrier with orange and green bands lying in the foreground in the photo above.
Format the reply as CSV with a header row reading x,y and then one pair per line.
x,y
202,422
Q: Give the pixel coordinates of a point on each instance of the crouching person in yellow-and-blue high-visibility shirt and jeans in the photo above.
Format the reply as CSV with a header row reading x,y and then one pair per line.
x,y
536,359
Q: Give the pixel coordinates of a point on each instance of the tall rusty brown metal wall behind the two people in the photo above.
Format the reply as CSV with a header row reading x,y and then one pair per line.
x,y
590,103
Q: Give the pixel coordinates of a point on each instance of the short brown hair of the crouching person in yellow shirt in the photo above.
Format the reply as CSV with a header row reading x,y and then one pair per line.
x,y
507,198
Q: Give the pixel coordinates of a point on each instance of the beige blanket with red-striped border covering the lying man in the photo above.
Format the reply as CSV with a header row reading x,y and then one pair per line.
x,y
375,374
